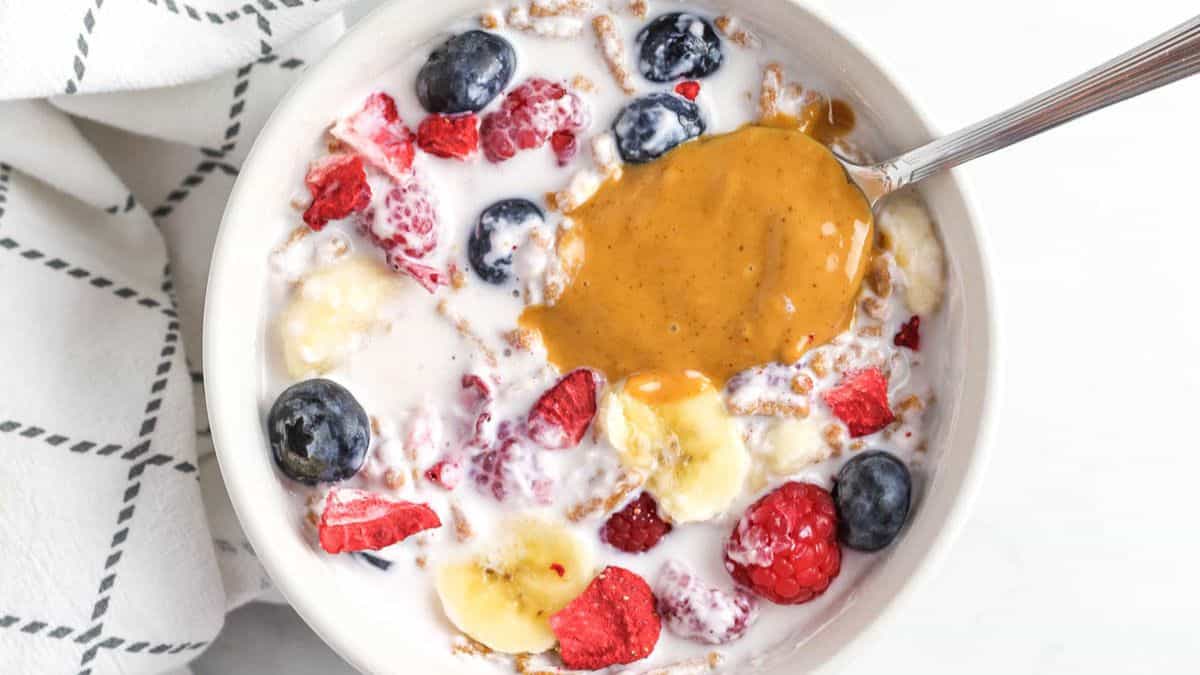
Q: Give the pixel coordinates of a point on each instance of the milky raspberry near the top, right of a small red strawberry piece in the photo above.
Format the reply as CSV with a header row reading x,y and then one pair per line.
x,y
530,116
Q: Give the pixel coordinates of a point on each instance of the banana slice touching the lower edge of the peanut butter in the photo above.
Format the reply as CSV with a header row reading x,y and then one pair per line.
x,y
677,433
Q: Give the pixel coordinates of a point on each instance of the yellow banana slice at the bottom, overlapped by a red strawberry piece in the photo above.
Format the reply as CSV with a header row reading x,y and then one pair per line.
x,y
505,598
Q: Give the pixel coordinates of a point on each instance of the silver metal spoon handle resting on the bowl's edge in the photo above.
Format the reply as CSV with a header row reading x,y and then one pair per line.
x,y
1173,56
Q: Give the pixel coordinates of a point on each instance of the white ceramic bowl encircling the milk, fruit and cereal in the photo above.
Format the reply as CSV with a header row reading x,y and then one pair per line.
x,y
380,629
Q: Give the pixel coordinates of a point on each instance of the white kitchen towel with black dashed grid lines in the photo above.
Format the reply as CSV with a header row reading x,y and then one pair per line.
x,y
123,127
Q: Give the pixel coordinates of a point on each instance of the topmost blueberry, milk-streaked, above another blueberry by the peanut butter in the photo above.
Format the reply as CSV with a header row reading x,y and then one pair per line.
x,y
679,46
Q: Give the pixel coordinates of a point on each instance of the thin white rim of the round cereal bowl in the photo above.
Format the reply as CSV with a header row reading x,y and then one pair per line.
x,y
226,437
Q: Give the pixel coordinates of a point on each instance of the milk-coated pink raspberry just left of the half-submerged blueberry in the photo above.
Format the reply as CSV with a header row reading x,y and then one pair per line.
x,y
407,222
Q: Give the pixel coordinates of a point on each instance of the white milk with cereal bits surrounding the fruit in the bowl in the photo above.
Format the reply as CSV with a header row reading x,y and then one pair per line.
x,y
403,351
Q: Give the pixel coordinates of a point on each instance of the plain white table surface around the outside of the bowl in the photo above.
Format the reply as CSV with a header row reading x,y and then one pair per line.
x,y
1082,554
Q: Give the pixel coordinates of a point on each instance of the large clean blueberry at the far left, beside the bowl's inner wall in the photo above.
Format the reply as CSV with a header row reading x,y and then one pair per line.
x,y
319,433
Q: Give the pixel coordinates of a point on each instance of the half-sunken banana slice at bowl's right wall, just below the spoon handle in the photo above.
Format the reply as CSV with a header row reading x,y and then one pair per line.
x,y
909,234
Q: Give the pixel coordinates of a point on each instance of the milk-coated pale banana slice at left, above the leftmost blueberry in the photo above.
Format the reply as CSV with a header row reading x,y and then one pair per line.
x,y
331,312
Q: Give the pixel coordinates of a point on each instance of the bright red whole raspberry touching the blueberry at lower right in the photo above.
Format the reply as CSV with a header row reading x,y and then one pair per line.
x,y
785,546
